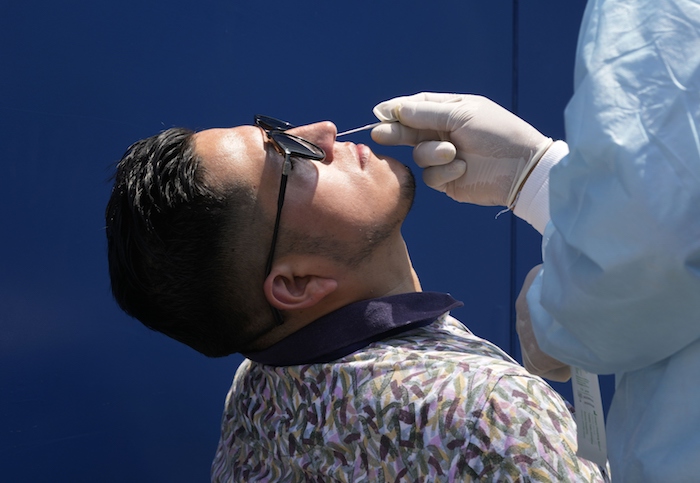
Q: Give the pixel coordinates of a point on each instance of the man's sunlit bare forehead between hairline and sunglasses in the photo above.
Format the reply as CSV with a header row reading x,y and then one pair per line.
x,y
230,152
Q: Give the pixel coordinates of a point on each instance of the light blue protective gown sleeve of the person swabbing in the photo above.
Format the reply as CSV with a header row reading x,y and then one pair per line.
x,y
620,285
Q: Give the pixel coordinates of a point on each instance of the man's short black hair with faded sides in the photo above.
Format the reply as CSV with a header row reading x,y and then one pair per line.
x,y
179,260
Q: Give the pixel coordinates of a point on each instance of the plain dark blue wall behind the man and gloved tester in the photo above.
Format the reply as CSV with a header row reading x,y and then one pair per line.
x,y
88,394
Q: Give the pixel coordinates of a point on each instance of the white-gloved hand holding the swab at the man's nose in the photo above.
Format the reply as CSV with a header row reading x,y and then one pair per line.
x,y
471,148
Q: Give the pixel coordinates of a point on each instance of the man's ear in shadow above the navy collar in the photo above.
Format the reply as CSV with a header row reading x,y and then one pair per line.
x,y
286,290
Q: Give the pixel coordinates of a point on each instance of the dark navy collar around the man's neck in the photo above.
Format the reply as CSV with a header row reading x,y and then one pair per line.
x,y
355,326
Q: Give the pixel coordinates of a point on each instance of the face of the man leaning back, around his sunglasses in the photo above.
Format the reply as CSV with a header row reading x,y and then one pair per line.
x,y
352,197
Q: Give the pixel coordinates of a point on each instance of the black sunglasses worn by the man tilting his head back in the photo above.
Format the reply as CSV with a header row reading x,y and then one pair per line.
x,y
290,146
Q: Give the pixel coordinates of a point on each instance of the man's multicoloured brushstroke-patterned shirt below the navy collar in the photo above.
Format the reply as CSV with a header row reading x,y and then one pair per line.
x,y
431,403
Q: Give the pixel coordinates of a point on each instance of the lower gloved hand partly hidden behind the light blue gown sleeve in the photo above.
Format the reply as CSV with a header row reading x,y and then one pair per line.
x,y
535,361
